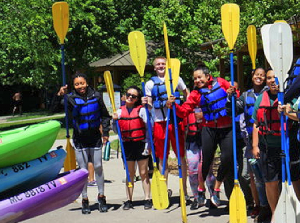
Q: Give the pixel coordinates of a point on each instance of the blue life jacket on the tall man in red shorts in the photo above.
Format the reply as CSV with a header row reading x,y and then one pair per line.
x,y
159,94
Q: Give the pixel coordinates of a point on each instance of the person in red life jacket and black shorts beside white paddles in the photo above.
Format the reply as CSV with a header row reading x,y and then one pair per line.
x,y
266,143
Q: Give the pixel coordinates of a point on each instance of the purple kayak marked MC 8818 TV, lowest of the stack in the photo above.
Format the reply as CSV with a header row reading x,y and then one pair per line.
x,y
44,198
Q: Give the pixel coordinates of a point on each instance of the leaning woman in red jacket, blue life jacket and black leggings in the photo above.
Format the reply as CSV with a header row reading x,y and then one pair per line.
x,y
210,94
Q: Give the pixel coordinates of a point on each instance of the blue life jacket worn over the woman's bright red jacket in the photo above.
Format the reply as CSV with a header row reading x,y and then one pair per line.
x,y
213,101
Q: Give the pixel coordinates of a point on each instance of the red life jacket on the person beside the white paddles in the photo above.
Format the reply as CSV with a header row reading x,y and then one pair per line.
x,y
268,117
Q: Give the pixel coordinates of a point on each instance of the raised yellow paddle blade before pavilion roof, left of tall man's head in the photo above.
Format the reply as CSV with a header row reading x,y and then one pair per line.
x,y
138,52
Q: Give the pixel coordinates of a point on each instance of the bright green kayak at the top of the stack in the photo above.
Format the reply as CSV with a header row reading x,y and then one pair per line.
x,y
27,143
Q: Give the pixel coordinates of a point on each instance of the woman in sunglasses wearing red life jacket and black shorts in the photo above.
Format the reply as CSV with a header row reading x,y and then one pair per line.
x,y
132,118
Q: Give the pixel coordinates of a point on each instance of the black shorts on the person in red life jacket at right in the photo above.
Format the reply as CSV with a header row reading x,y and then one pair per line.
x,y
270,164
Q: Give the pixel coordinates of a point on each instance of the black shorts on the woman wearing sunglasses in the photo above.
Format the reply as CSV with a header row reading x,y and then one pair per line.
x,y
134,150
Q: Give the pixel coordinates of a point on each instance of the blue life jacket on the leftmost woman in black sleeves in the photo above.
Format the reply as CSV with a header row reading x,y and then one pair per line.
x,y
86,113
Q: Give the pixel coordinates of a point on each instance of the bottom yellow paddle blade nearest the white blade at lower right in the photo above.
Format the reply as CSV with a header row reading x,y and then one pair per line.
x,y
237,206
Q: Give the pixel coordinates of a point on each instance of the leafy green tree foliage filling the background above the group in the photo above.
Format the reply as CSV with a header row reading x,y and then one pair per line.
x,y
30,52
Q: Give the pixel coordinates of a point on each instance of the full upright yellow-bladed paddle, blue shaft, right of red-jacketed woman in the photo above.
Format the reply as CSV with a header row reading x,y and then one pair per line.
x,y
230,15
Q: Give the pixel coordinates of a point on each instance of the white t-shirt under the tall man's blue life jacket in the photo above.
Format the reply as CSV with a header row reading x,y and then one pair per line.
x,y
157,114
